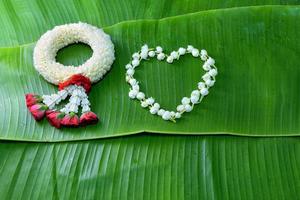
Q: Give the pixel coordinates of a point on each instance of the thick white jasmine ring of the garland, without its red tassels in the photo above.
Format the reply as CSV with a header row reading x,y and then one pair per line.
x,y
60,36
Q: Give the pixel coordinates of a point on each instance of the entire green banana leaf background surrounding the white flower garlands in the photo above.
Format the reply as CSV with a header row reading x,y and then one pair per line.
x,y
256,47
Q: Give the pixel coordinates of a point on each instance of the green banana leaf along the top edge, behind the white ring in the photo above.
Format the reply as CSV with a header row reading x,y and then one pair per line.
x,y
24,21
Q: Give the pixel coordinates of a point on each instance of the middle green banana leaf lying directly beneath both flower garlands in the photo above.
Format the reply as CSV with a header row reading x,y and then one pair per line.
x,y
256,93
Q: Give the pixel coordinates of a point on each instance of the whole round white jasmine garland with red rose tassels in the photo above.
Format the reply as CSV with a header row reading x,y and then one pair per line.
x,y
73,81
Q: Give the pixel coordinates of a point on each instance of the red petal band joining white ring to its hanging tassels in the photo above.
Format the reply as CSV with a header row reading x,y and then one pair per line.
x,y
76,79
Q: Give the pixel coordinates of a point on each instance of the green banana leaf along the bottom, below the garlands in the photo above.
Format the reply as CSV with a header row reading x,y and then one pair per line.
x,y
153,167
